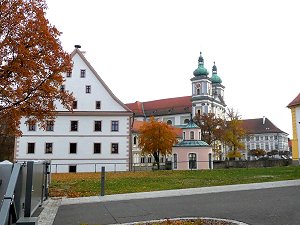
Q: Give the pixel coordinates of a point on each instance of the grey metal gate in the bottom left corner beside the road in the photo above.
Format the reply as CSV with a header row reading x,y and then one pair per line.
x,y
23,188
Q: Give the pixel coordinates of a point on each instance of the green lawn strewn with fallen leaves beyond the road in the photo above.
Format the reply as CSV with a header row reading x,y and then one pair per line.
x,y
88,184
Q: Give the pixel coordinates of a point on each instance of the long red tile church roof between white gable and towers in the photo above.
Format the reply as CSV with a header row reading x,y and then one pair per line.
x,y
159,107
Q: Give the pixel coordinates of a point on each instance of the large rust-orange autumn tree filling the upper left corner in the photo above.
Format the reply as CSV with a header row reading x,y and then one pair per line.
x,y
32,62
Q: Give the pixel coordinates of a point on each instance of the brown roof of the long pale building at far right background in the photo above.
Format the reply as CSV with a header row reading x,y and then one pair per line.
x,y
256,126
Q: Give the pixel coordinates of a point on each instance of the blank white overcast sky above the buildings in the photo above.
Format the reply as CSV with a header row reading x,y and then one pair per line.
x,y
148,49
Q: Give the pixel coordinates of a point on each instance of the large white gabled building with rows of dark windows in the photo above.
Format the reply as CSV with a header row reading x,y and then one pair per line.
x,y
97,132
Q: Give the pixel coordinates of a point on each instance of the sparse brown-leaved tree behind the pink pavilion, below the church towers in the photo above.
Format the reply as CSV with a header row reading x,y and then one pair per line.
x,y
212,129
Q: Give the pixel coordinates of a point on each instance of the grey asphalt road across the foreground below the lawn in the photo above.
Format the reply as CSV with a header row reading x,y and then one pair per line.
x,y
272,206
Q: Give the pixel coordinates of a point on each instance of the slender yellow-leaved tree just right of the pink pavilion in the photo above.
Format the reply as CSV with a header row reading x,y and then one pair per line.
x,y
234,132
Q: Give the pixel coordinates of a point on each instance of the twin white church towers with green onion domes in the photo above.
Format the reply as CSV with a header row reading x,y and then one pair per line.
x,y
207,93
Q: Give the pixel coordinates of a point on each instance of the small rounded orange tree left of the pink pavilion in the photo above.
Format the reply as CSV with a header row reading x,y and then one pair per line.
x,y
156,138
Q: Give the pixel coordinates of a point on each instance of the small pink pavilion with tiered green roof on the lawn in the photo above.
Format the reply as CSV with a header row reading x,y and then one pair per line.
x,y
191,152
